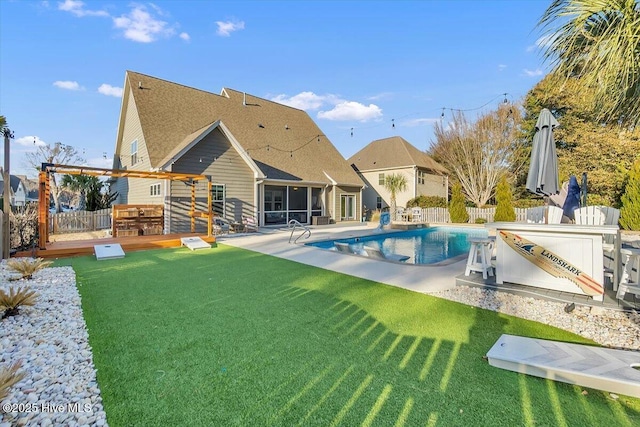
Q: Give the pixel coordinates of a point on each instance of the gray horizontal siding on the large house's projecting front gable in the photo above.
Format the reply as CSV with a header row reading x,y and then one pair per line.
x,y
215,157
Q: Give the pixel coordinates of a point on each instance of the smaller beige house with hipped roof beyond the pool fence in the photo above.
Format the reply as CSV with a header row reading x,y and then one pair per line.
x,y
395,155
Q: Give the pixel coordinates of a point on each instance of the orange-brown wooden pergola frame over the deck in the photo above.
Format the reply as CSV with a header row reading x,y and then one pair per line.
x,y
44,193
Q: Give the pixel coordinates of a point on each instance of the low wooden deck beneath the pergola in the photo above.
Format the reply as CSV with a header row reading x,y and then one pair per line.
x,y
73,248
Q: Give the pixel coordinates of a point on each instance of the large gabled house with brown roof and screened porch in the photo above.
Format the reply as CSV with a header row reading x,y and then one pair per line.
x,y
265,160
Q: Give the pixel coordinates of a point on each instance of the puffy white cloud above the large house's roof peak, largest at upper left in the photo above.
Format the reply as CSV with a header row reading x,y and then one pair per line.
x,y
140,26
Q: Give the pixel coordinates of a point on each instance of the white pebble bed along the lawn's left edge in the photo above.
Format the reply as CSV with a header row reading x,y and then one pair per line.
x,y
50,339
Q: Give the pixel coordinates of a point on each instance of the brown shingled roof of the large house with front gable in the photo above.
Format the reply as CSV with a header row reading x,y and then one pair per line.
x,y
284,142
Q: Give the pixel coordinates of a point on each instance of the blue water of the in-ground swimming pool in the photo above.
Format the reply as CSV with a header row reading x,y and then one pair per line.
x,y
423,246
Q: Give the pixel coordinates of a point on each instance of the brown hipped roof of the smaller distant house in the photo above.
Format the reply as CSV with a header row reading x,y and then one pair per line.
x,y
394,152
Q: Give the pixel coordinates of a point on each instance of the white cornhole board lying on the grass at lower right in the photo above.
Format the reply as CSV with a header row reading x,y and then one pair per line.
x,y
594,367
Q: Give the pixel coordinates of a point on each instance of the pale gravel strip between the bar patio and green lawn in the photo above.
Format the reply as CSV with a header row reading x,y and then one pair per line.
x,y
609,328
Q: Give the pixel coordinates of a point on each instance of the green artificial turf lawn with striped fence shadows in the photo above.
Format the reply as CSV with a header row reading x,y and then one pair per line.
x,y
232,337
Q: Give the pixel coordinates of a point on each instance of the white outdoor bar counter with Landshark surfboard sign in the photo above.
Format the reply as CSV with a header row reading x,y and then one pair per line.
x,y
579,245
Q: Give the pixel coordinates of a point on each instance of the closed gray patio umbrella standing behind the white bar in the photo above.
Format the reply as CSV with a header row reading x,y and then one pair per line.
x,y
543,170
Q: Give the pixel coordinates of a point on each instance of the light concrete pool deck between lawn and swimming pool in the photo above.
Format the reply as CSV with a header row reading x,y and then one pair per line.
x,y
419,278
